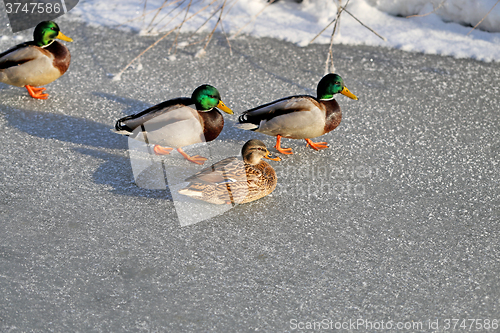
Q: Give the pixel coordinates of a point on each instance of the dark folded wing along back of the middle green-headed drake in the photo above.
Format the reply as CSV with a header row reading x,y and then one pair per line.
x,y
127,124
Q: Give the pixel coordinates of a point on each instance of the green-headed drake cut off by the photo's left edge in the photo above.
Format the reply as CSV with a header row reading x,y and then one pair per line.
x,y
36,63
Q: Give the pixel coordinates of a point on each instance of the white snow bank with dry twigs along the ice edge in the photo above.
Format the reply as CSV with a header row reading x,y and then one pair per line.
x,y
444,31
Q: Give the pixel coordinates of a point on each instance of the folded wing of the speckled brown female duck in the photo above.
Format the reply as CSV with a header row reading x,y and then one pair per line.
x,y
229,170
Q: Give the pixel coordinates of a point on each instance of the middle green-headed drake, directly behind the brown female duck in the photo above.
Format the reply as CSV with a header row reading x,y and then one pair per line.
x,y
179,122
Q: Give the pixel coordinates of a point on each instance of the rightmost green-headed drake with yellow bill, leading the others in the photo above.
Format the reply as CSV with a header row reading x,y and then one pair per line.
x,y
301,116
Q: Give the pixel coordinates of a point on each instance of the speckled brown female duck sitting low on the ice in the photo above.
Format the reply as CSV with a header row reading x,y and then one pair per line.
x,y
233,180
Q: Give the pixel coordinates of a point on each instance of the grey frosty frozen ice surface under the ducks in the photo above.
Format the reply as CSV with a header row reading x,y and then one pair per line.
x,y
398,220
